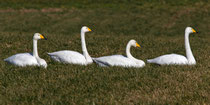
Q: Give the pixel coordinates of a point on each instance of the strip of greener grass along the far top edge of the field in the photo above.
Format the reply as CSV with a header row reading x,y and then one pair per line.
x,y
87,4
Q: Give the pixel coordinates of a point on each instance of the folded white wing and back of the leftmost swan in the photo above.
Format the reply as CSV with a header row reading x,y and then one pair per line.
x,y
22,59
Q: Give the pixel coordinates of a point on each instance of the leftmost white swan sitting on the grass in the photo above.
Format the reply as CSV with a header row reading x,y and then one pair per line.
x,y
28,59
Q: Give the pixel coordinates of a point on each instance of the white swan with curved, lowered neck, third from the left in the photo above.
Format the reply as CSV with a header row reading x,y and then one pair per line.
x,y
120,60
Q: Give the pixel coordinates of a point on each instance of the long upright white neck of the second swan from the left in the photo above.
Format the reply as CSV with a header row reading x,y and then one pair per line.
x,y
84,49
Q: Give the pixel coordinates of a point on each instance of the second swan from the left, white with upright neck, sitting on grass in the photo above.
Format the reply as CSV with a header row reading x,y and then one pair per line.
x,y
73,57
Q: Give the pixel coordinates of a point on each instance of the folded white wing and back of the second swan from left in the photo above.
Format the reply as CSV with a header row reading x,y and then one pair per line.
x,y
67,56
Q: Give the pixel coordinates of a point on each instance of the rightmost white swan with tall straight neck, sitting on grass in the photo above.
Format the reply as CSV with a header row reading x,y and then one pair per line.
x,y
175,58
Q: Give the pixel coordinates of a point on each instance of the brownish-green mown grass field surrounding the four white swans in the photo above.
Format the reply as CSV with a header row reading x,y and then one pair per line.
x,y
158,26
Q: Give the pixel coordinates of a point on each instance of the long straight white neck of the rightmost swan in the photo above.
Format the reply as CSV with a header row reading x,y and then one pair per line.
x,y
190,57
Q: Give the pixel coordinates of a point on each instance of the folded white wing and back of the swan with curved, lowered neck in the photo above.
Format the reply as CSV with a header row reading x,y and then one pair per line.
x,y
115,60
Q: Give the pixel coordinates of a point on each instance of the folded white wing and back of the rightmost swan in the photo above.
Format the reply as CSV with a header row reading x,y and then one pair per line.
x,y
169,59
